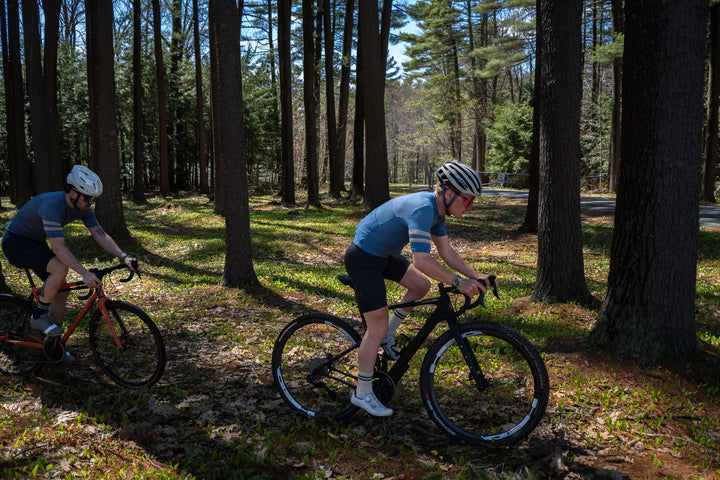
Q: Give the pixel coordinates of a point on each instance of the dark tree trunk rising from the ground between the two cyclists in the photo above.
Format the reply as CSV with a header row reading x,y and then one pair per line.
x,y
238,269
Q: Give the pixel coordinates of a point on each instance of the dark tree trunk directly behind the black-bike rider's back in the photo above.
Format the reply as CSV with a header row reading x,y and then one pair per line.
x,y
377,188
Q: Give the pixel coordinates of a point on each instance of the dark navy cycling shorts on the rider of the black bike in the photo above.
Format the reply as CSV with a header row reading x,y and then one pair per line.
x,y
368,274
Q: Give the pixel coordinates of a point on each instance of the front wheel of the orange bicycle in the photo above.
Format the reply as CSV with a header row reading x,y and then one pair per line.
x,y
141,361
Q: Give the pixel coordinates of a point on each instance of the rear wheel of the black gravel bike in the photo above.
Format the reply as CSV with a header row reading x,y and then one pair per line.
x,y
304,345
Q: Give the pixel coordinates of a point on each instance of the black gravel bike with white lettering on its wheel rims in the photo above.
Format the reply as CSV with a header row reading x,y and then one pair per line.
x,y
480,381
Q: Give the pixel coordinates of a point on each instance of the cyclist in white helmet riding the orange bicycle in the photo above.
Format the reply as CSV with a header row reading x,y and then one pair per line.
x,y
25,243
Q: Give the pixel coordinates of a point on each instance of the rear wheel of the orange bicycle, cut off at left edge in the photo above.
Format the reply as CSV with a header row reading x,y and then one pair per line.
x,y
17,360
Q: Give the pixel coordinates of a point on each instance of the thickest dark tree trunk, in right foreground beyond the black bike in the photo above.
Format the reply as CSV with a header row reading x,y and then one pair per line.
x,y
649,311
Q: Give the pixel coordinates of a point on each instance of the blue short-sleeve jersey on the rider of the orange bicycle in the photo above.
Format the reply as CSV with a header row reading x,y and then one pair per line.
x,y
45,215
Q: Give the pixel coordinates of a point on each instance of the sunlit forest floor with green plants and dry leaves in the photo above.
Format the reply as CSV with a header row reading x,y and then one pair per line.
x,y
216,413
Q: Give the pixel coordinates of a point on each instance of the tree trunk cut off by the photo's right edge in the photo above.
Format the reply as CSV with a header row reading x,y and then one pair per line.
x,y
710,157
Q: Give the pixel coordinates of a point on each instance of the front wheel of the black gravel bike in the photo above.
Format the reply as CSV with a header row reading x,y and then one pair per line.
x,y
505,412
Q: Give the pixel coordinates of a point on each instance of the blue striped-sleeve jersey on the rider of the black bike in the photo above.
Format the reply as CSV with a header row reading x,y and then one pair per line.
x,y
411,218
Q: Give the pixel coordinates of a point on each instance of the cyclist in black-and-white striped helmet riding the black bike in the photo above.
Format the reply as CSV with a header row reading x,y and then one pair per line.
x,y
376,255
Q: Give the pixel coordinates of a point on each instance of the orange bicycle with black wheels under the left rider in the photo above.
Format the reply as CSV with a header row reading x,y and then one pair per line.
x,y
127,345
